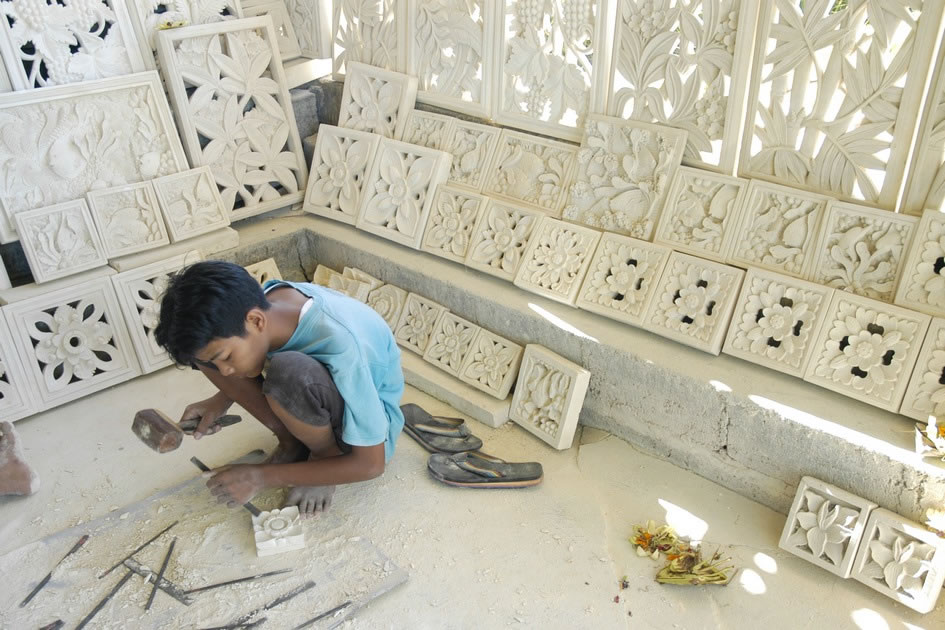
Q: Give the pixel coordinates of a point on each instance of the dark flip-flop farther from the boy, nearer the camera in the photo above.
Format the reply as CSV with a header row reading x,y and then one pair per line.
x,y
478,470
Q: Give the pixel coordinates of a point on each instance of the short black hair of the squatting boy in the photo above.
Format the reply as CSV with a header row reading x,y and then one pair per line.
x,y
205,301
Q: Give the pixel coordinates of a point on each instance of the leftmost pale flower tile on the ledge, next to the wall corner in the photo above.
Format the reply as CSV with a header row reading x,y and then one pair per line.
x,y
340,163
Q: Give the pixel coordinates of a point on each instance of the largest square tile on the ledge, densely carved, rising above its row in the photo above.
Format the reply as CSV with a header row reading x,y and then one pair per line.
x,y
624,171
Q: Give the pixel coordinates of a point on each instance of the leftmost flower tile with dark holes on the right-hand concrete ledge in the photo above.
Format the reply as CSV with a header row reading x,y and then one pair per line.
x,y
622,278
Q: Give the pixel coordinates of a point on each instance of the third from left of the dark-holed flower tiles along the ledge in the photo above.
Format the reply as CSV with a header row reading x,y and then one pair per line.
x,y
777,320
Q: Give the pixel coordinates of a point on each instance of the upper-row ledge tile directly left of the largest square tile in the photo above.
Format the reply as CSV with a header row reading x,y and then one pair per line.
x,y
530,170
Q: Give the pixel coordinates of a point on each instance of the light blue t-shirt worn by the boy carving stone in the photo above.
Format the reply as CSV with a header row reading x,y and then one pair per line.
x,y
358,349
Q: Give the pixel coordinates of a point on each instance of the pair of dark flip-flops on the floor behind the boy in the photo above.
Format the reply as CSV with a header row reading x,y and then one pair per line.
x,y
456,459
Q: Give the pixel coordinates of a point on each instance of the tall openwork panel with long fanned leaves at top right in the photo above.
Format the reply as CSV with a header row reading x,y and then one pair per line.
x,y
836,96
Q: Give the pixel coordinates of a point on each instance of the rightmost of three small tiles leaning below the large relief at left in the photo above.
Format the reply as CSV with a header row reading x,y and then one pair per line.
x,y
191,203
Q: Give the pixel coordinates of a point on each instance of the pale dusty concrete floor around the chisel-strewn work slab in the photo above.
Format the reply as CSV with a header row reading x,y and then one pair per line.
x,y
546,557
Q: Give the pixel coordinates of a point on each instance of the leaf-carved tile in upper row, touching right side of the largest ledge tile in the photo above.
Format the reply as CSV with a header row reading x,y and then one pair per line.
x,y
701,212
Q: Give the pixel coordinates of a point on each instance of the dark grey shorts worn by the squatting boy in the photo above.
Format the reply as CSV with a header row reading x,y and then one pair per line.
x,y
305,388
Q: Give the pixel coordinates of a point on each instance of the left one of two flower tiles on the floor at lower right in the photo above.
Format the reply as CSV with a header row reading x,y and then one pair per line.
x,y
825,526
